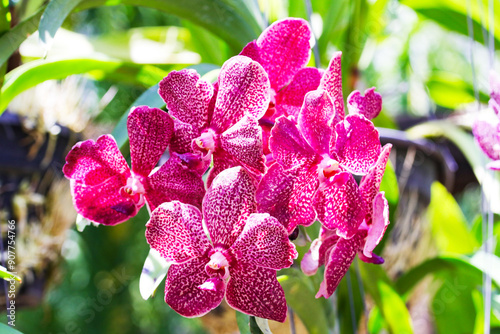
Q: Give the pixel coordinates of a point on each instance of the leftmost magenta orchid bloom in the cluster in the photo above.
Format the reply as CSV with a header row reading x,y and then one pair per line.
x,y
105,190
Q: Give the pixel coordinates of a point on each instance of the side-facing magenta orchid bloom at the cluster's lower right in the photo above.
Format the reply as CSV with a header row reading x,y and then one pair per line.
x,y
364,207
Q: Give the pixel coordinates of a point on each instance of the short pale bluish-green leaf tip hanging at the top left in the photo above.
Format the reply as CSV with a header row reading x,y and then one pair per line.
x,y
53,17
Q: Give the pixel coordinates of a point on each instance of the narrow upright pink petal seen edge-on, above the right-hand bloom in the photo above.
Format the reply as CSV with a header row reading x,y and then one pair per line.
x,y
332,83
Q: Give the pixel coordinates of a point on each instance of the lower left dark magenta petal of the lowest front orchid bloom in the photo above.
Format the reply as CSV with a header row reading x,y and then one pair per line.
x,y
185,291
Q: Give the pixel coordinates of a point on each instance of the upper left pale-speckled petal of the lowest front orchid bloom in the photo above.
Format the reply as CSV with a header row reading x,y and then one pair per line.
x,y
175,231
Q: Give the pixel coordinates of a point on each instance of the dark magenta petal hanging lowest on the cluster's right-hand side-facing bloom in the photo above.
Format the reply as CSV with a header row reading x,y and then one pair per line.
x,y
339,260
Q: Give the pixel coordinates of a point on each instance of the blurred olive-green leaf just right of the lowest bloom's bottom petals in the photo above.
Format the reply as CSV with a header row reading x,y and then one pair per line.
x,y
300,296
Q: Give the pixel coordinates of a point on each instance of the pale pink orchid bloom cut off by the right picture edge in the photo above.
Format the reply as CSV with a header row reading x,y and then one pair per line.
x,y
487,134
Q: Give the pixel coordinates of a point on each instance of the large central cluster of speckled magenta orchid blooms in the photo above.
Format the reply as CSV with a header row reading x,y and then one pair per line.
x,y
278,151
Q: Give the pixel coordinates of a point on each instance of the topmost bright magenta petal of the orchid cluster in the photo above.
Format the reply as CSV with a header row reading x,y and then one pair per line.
x,y
283,50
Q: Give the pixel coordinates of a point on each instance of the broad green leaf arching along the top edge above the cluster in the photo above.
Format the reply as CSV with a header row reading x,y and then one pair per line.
x,y
234,21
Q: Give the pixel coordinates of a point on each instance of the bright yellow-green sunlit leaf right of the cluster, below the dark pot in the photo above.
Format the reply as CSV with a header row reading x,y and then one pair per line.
x,y
449,226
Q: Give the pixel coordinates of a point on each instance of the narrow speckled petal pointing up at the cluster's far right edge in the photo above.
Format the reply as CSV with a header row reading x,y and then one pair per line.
x,y
370,183
